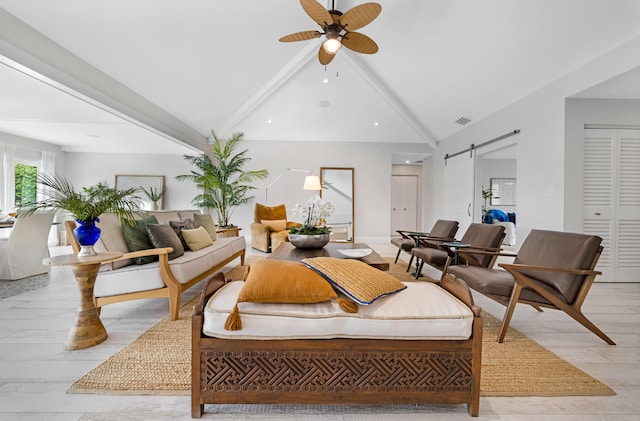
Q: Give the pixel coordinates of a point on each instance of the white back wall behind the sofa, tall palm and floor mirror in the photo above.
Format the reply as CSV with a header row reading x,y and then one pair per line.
x,y
372,177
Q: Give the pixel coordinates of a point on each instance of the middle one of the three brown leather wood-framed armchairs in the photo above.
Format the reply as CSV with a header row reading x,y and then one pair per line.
x,y
480,237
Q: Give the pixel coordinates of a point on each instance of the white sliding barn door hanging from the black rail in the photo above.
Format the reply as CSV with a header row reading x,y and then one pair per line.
x,y
459,181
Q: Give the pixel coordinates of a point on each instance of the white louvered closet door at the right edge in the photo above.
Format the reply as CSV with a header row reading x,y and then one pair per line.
x,y
611,199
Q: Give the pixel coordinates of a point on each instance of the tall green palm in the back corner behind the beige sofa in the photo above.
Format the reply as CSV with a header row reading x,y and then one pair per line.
x,y
221,179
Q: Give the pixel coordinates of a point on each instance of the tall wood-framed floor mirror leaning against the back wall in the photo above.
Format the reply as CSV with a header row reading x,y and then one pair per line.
x,y
337,188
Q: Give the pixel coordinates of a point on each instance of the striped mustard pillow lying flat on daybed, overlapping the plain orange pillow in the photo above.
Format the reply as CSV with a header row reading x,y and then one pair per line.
x,y
357,280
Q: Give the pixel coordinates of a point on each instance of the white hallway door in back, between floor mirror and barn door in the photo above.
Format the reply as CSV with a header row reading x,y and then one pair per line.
x,y
404,203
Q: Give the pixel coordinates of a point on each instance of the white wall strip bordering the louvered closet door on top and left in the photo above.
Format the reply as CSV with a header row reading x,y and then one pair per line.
x,y
581,112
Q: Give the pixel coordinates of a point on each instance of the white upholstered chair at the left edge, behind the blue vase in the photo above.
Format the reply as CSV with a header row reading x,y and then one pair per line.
x,y
21,253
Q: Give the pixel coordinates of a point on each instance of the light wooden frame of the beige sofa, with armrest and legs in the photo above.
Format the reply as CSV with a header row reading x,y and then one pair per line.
x,y
173,288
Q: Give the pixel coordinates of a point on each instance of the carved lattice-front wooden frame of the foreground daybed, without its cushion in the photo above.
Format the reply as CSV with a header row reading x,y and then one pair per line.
x,y
335,371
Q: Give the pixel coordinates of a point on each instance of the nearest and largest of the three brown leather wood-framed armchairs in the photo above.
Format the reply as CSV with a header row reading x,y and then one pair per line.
x,y
552,269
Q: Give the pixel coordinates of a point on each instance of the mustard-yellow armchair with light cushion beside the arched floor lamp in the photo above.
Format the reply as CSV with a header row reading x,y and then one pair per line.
x,y
270,227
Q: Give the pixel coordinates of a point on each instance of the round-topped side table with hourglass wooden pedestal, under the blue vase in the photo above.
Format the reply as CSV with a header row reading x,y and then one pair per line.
x,y
87,329
